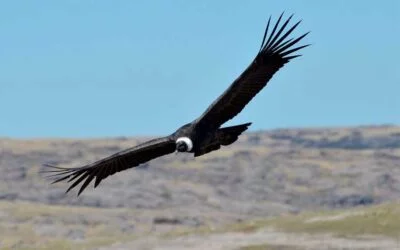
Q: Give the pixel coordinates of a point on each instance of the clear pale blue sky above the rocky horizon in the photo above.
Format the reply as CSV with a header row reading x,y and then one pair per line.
x,y
127,68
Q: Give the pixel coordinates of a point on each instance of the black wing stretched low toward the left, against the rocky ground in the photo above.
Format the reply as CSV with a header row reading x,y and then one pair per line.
x,y
101,169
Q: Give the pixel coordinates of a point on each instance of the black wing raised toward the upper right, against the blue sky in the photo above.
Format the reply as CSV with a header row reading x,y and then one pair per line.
x,y
275,51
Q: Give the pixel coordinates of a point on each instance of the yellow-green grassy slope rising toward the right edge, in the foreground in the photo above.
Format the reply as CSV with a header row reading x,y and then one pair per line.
x,y
381,220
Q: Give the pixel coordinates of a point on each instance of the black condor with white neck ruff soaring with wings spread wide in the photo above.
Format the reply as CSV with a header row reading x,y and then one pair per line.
x,y
204,134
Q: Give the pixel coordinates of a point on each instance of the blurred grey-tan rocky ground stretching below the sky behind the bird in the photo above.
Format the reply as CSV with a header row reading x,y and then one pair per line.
x,y
265,174
